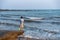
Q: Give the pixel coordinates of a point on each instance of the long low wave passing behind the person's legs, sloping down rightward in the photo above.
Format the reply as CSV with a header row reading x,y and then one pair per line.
x,y
30,28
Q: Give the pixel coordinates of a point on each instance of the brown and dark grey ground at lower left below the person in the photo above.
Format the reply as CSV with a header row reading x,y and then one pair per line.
x,y
10,35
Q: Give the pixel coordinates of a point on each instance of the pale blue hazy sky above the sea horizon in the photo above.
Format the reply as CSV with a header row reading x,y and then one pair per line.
x,y
29,4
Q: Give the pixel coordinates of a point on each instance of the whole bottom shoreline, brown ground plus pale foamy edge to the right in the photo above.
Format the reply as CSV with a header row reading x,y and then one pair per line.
x,y
15,35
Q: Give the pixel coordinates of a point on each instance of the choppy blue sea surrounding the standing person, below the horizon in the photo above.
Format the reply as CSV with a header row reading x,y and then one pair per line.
x,y
10,20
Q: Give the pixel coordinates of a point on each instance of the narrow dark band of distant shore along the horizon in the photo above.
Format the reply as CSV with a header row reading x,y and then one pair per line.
x,y
29,9
